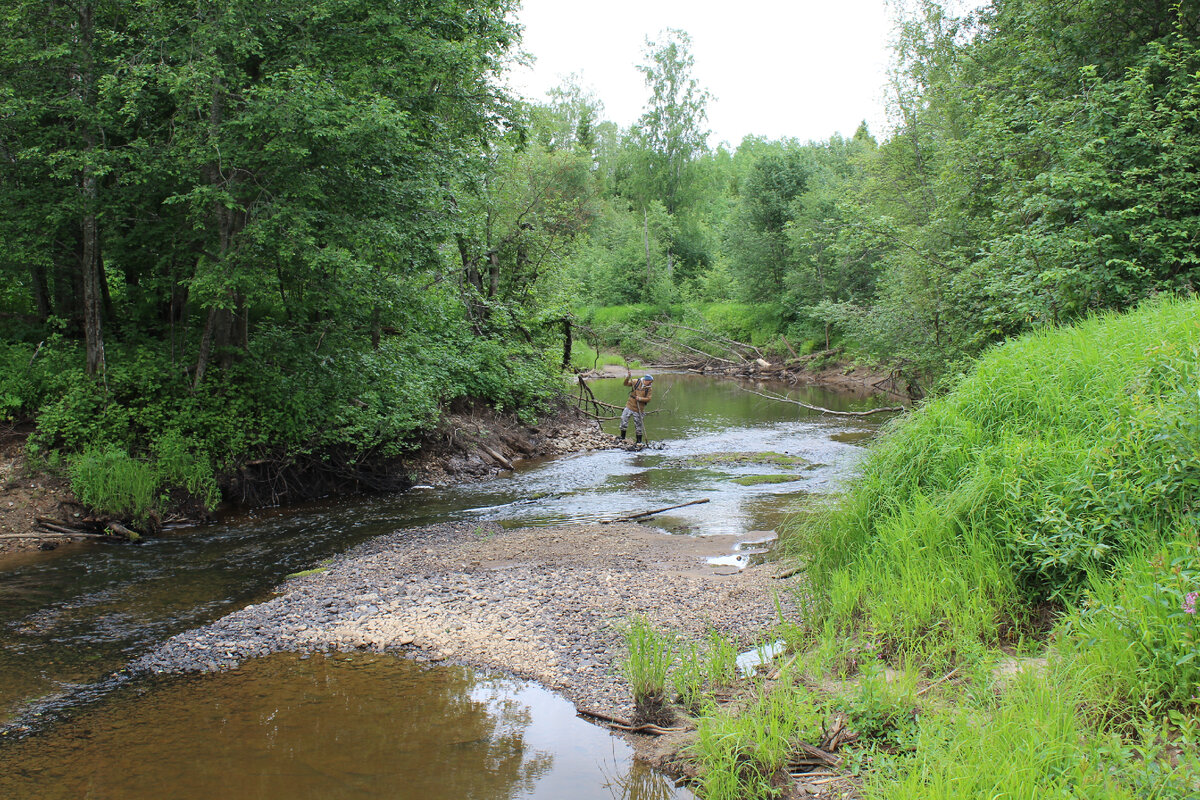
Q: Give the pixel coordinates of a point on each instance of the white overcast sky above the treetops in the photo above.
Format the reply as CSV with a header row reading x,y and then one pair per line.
x,y
803,69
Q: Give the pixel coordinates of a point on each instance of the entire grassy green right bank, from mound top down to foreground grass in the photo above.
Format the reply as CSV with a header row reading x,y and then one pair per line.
x,y
1027,549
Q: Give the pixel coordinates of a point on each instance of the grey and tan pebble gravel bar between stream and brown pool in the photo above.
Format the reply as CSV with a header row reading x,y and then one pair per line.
x,y
543,604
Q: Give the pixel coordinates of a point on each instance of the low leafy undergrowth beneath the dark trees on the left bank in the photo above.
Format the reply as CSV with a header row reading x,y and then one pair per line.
x,y
145,440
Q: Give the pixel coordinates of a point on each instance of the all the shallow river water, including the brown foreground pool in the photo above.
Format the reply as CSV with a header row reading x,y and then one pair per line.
x,y
356,725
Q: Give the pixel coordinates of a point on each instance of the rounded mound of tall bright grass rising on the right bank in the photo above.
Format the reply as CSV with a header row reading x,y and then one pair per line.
x,y
1059,456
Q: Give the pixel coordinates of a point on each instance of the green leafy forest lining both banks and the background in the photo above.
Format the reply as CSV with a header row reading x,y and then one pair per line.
x,y
237,233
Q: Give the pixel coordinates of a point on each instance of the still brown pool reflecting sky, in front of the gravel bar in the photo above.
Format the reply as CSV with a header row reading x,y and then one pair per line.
x,y
341,726
